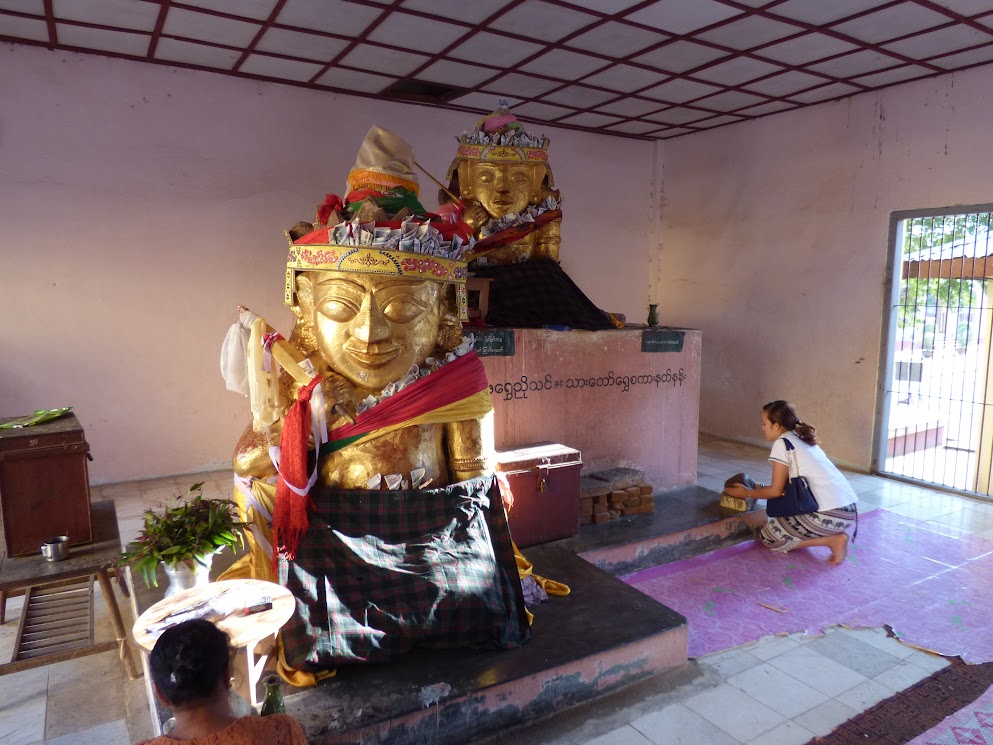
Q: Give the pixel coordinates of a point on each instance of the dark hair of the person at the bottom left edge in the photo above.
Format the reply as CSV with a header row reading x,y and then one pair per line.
x,y
188,662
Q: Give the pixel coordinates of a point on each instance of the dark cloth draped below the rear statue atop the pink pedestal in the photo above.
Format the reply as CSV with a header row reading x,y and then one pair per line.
x,y
538,293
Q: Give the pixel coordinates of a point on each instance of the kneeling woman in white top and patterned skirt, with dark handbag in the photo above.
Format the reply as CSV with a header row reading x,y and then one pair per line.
x,y
836,499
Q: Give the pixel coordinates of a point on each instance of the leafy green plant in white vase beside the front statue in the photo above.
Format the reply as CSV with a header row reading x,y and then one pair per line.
x,y
184,537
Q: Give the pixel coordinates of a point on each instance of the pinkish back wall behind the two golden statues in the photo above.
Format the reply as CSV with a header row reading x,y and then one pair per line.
x,y
140,204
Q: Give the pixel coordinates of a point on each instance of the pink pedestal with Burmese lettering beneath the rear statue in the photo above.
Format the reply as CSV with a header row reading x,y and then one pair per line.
x,y
596,391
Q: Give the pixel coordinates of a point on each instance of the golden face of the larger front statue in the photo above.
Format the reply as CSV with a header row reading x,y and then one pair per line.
x,y
372,328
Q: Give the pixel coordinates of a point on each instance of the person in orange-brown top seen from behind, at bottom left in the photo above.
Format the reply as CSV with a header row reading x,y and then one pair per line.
x,y
191,671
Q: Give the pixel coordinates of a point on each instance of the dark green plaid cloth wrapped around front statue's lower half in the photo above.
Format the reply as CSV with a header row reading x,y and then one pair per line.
x,y
381,572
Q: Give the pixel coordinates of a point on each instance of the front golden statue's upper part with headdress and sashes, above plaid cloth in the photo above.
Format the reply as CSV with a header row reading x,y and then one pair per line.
x,y
376,362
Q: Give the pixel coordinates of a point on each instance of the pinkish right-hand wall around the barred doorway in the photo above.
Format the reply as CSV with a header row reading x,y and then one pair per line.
x,y
774,243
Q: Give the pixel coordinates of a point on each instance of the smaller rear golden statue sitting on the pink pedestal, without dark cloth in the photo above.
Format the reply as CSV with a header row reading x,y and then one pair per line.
x,y
502,177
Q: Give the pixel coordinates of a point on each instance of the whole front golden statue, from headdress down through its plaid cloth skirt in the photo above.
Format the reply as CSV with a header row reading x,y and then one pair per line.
x,y
366,474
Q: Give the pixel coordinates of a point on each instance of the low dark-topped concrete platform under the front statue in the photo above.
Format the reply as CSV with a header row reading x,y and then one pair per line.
x,y
602,638
